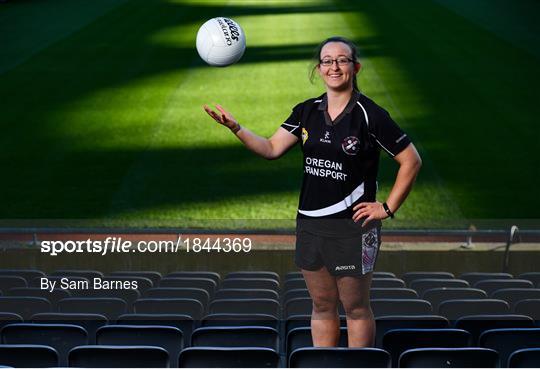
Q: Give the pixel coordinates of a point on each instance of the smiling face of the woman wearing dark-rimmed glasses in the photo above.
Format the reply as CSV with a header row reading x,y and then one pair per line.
x,y
337,77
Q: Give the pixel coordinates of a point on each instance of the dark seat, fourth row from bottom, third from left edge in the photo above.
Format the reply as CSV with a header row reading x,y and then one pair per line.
x,y
190,307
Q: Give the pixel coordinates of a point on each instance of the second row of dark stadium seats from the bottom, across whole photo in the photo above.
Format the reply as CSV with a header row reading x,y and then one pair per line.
x,y
63,339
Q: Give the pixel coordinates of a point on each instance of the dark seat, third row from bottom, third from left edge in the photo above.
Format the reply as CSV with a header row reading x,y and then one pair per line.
x,y
185,323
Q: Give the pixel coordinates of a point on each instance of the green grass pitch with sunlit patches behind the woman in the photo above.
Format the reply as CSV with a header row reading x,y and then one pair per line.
x,y
101,118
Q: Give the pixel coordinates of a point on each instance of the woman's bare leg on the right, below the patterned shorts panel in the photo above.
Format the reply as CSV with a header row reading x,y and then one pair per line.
x,y
354,295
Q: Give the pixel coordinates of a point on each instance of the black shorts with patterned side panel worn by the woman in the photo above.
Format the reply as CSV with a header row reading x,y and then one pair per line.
x,y
355,255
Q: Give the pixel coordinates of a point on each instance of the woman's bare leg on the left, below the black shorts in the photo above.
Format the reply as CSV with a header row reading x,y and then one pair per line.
x,y
324,318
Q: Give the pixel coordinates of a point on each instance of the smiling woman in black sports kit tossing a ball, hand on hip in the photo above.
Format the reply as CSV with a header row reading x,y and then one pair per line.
x,y
338,225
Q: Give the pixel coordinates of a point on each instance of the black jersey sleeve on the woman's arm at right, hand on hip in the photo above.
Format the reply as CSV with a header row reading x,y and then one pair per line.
x,y
387,133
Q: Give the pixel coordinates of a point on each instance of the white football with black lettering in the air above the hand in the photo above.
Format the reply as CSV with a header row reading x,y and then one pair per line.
x,y
221,42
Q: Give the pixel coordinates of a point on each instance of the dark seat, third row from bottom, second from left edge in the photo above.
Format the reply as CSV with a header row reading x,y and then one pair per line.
x,y
90,322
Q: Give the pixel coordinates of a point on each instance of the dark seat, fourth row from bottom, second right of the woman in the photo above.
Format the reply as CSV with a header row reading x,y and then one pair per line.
x,y
455,309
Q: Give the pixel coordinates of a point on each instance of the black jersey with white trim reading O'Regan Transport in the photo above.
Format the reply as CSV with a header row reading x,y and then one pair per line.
x,y
341,157
